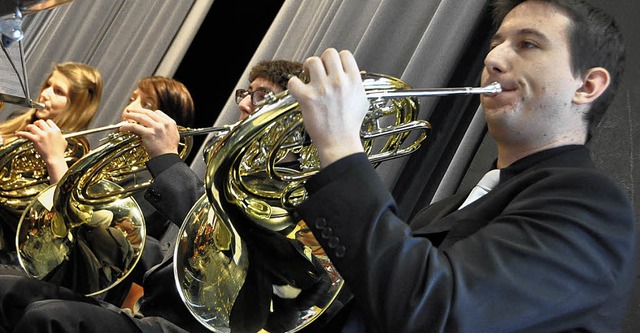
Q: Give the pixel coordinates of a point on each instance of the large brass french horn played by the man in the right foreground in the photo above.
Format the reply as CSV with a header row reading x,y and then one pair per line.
x,y
252,179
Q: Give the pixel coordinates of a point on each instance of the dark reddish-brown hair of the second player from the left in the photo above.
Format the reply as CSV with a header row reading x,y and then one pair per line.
x,y
171,96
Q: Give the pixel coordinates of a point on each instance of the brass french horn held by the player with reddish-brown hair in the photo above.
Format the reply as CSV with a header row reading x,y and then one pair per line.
x,y
87,232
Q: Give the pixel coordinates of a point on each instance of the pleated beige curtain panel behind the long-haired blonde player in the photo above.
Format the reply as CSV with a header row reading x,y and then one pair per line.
x,y
125,39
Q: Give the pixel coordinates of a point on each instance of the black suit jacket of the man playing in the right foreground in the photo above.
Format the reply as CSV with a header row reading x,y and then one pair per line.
x,y
550,249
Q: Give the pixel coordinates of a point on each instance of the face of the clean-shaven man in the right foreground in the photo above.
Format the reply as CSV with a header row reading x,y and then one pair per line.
x,y
530,58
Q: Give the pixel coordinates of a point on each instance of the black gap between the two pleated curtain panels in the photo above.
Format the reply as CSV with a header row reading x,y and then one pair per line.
x,y
218,56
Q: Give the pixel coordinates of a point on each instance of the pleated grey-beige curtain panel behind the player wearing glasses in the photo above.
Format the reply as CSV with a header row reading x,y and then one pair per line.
x,y
418,41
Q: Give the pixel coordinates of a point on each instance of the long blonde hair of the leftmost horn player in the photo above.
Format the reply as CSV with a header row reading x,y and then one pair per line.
x,y
85,93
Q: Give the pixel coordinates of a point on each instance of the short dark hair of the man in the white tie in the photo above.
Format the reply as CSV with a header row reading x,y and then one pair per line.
x,y
595,40
